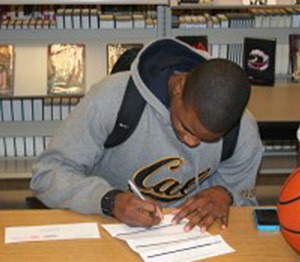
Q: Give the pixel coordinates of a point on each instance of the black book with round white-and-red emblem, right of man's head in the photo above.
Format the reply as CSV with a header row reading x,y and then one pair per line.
x,y
259,60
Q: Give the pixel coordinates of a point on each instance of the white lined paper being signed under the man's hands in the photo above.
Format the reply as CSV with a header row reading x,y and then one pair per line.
x,y
169,242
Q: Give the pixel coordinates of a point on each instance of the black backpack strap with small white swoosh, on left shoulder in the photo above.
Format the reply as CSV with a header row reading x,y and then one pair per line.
x,y
129,114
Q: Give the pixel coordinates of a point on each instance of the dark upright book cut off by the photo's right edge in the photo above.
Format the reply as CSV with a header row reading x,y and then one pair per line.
x,y
294,44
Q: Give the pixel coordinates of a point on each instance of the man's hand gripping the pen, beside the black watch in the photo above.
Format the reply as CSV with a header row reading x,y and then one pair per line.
x,y
133,211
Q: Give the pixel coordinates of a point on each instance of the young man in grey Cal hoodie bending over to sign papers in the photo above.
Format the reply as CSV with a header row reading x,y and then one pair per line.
x,y
173,156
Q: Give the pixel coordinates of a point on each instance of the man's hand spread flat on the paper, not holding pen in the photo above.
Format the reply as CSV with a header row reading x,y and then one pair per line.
x,y
204,208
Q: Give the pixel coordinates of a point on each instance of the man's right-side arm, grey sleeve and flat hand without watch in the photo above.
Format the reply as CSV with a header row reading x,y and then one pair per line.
x,y
234,178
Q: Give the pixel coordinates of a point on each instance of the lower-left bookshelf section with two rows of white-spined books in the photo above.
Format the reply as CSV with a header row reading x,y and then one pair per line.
x,y
27,124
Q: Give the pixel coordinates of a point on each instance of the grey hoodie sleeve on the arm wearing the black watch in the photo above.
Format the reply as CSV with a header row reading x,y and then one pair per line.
x,y
60,176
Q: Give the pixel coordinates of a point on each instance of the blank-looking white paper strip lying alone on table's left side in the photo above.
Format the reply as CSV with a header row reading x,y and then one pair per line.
x,y
51,232
